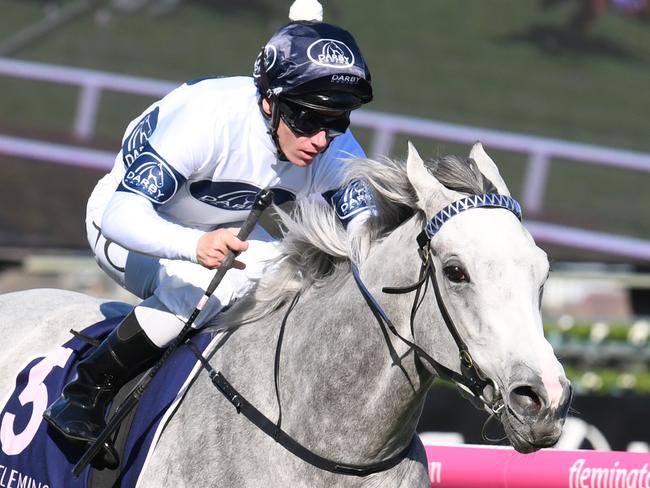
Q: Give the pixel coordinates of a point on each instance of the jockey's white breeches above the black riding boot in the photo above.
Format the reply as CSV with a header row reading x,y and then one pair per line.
x,y
171,289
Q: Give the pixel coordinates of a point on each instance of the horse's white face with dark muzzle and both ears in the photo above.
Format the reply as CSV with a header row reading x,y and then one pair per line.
x,y
491,275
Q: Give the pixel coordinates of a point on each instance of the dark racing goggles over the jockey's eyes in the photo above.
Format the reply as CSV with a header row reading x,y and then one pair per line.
x,y
306,121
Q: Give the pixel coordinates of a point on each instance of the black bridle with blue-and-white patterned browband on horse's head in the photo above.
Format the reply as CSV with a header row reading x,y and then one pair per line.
x,y
471,379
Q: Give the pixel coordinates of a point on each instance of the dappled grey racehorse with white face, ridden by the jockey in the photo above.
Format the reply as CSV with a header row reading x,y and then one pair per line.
x,y
350,389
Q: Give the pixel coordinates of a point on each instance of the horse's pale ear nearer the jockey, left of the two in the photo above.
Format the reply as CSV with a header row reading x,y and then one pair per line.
x,y
432,195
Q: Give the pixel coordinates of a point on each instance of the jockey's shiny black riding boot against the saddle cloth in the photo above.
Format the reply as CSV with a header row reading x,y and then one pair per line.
x,y
78,414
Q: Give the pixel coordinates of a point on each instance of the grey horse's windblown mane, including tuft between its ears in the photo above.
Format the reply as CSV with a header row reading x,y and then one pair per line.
x,y
316,249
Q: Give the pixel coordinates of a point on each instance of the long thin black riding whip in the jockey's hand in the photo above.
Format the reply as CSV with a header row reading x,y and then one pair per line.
x,y
262,200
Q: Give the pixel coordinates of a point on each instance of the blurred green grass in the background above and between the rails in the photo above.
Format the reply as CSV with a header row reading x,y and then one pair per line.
x,y
461,62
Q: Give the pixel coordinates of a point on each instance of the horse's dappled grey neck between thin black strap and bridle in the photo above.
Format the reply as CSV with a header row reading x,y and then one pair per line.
x,y
352,390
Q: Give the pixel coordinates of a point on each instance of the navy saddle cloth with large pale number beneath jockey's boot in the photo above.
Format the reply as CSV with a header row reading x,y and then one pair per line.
x,y
31,454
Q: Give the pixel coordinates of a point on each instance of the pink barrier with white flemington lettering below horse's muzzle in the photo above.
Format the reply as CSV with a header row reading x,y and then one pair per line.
x,y
502,467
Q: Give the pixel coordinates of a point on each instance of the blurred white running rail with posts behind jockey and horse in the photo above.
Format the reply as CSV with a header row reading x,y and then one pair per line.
x,y
385,128
